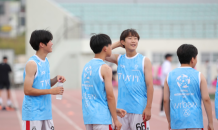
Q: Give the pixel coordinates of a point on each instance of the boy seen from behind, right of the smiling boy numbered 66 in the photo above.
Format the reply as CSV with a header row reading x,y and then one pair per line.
x,y
184,89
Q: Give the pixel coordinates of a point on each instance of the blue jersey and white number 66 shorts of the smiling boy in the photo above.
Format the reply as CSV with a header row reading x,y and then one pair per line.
x,y
132,91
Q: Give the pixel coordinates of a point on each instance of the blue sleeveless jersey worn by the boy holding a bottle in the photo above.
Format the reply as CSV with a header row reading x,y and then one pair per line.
x,y
38,107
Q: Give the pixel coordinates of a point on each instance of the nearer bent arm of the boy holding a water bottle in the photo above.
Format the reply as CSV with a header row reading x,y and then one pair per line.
x,y
31,69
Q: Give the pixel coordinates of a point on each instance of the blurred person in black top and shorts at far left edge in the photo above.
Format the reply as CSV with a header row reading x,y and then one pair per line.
x,y
5,69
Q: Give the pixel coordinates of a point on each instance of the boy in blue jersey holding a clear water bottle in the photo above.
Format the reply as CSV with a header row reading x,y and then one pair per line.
x,y
36,107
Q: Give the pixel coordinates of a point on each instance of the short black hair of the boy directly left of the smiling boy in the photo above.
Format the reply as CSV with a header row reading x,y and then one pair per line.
x,y
98,41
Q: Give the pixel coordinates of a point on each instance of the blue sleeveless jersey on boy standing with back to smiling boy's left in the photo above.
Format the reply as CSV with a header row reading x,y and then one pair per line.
x,y
94,99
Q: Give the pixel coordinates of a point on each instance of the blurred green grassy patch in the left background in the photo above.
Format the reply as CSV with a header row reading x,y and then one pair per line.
x,y
18,44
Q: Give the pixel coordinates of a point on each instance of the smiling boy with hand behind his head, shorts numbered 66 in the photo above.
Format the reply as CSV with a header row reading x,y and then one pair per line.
x,y
135,83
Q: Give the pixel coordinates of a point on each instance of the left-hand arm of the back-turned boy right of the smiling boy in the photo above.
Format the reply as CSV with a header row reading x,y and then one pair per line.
x,y
167,101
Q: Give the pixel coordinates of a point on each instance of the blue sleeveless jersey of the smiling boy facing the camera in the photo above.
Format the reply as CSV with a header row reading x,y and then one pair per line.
x,y
132,89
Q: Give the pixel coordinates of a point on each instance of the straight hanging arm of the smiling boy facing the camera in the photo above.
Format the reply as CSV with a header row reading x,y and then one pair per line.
x,y
149,83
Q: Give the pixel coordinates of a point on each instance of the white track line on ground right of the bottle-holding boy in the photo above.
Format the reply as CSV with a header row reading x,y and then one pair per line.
x,y
66,118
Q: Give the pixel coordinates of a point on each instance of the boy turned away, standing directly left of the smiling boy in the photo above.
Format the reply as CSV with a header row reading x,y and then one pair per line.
x,y
98,101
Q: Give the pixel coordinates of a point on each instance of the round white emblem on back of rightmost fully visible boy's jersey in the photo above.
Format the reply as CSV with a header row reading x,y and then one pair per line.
x,y
183,81
